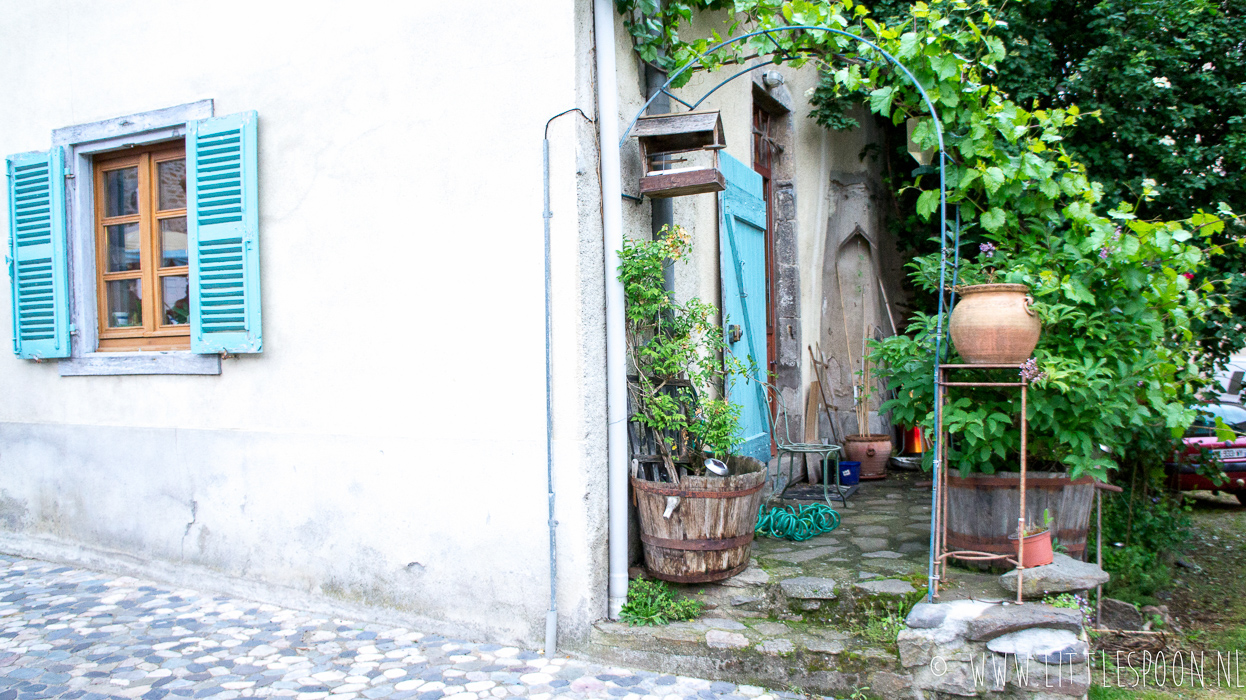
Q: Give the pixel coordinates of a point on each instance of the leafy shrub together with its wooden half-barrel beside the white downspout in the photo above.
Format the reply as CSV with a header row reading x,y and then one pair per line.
x,y
695,526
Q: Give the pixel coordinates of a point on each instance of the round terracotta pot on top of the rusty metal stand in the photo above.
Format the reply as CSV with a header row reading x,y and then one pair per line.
x,y
992,324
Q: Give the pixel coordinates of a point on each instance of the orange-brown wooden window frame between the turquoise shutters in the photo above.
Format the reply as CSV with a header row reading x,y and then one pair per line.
x,y
153,334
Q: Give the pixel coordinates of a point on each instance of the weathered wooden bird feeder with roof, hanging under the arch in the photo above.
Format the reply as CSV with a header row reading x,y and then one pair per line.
x,y
681,154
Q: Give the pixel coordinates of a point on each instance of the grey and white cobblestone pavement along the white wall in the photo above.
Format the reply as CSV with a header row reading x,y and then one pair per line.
x,y
80,635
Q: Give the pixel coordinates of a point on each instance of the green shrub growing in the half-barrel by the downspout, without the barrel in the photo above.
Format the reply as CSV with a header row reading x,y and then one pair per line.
x,y
670,343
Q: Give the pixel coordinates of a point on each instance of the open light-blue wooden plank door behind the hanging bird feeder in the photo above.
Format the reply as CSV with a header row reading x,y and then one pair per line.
x,y
743,261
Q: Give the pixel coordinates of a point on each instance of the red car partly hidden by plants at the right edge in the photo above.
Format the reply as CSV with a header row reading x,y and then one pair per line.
x,y
1232,455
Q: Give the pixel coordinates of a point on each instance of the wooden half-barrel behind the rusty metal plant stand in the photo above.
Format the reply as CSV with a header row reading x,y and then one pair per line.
x,y
982,510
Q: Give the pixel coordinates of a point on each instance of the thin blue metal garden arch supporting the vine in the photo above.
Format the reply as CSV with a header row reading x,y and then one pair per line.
x,y
943,211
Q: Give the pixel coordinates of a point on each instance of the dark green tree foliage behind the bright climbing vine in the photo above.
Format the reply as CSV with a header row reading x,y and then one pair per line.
x,y
1167,80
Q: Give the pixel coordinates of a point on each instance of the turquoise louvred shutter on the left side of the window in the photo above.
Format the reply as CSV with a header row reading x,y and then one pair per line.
x,y
38,257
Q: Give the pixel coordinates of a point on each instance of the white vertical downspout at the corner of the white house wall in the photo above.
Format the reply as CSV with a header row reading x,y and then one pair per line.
x,y
616,351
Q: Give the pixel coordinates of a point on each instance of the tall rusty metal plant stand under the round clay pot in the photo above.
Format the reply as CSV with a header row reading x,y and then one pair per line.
x,y
941,554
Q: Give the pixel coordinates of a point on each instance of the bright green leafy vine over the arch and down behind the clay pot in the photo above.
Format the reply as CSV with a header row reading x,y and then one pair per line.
x,y
1117,292
